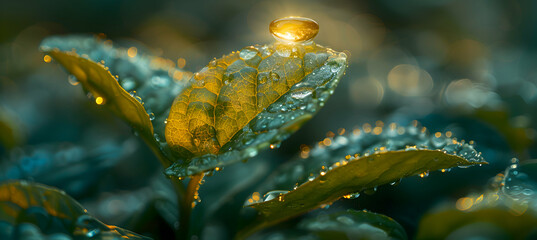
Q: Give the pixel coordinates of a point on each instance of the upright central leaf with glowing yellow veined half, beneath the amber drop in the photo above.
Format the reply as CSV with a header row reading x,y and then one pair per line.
x,y
248,100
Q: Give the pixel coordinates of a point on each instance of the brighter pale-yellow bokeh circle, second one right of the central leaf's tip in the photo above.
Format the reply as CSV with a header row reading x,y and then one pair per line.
x,y
409,80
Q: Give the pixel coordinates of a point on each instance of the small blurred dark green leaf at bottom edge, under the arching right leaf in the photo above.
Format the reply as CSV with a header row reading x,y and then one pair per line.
x,y
352,224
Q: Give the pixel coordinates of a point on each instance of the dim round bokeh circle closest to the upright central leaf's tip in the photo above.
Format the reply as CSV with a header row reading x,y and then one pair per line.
x,y
367,92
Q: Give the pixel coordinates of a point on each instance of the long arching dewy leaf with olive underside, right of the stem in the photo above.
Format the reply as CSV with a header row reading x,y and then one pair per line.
x,y
387,156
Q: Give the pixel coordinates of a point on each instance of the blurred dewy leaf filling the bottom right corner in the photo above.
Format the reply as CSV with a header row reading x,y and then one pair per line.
x,y
506,210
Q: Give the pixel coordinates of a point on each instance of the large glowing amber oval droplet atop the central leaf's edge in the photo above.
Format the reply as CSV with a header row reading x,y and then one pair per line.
x,y
294,29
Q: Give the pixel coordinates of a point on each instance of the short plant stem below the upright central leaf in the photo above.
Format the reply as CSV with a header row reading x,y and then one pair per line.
x,y
186,204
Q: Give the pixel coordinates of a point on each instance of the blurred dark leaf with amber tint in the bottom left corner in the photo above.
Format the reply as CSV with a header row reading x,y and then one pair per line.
x,y
33,211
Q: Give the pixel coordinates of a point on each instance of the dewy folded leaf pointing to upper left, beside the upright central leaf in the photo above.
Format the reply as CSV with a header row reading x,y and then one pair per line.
x,y
108,72
